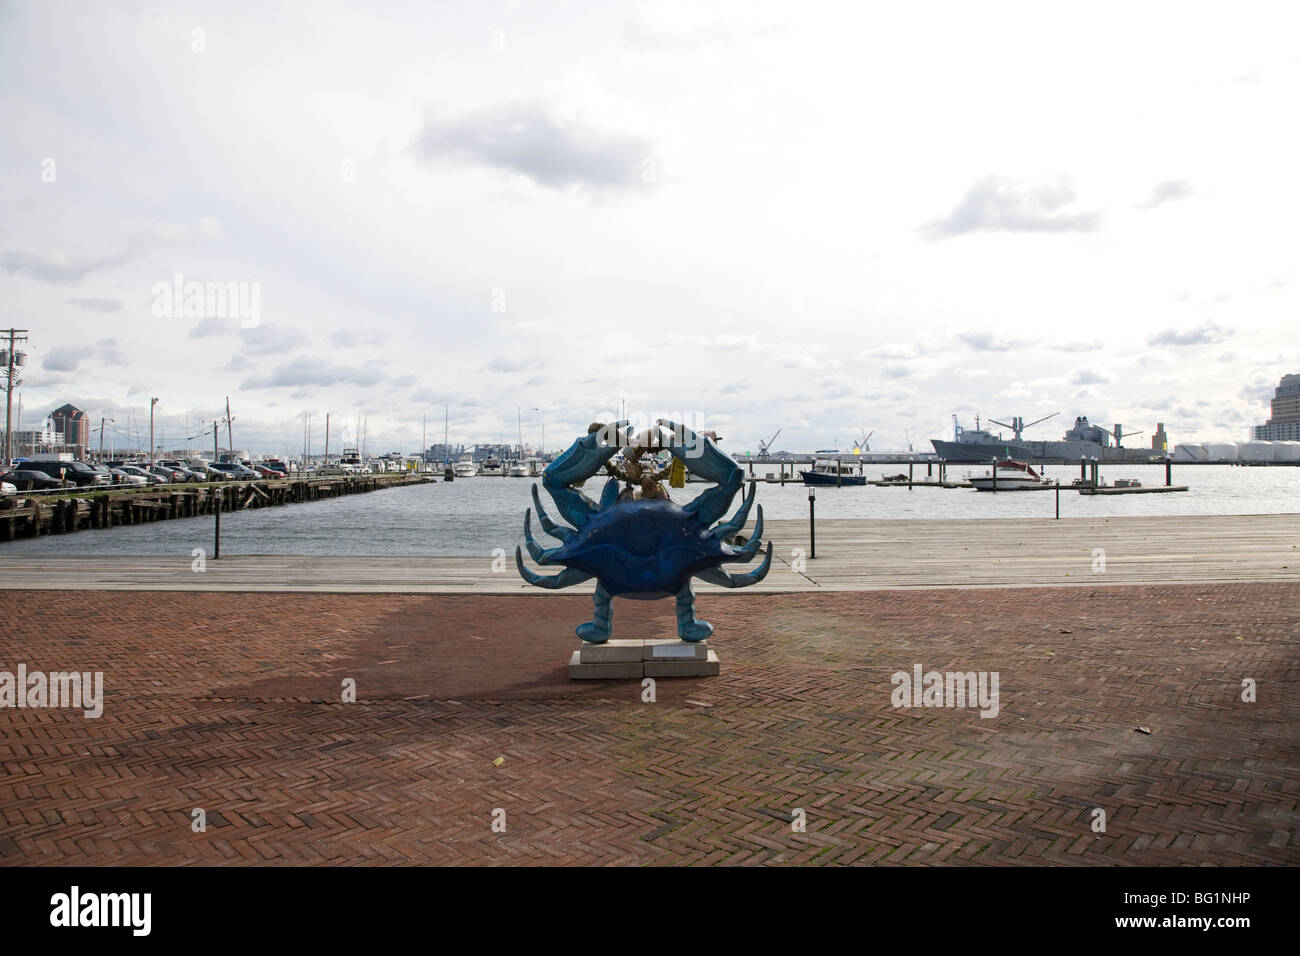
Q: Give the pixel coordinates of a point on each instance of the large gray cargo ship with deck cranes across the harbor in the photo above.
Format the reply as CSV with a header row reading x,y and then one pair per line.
x,y
1082,442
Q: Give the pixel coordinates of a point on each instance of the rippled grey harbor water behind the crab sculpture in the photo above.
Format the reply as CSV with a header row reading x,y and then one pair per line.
x,y
479,514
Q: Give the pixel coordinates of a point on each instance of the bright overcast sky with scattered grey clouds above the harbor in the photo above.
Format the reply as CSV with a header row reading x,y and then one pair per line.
x,y
825,219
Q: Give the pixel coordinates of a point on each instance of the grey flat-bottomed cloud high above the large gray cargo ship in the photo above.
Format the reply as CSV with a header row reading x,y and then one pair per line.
x,y
999,205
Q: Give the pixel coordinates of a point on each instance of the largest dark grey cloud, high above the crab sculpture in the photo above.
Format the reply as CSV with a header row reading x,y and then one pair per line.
x,y
554,144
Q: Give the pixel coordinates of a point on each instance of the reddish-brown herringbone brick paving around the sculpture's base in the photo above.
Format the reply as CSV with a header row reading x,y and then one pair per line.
x,y
232,703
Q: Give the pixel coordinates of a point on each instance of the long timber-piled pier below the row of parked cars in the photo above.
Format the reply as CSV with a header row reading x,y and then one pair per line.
x,y
63,513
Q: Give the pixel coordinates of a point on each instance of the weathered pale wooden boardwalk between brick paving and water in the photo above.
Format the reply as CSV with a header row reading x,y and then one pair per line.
x,y
851,556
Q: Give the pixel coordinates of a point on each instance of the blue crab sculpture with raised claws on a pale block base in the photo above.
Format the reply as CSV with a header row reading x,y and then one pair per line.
x,y
648,548
